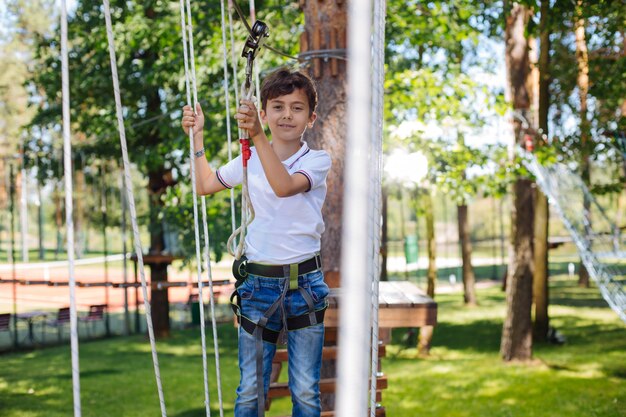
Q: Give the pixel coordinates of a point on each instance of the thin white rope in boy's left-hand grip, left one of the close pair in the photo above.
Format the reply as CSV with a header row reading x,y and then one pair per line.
x,y
184,27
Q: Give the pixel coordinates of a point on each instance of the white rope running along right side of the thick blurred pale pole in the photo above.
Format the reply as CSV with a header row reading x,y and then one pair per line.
x,y
376,180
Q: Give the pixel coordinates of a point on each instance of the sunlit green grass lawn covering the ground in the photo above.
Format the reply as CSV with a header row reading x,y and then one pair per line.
x,y
464,376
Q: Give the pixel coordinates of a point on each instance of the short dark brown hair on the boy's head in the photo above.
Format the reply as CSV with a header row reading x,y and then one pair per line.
x,y
285,81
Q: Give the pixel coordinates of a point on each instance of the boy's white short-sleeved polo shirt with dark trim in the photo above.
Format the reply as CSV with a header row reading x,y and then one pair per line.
x,y
284,230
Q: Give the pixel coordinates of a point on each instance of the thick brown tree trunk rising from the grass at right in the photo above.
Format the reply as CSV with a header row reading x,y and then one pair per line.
x,y
516,343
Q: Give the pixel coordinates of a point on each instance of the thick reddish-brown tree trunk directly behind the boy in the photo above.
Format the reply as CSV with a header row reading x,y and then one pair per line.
x,y
325,28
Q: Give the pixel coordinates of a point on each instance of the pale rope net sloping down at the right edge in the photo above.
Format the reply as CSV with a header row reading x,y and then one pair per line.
x,y
598,240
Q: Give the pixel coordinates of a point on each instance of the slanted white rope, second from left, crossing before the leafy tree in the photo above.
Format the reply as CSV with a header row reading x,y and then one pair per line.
x,y
131,203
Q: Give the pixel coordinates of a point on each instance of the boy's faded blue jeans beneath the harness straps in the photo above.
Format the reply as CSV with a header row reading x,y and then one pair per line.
x,y
304,345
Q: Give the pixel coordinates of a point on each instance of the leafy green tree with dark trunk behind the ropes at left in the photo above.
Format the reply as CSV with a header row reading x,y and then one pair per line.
x,y
149,52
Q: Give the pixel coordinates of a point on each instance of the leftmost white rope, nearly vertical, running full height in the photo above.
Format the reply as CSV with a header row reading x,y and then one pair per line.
x,y
69,210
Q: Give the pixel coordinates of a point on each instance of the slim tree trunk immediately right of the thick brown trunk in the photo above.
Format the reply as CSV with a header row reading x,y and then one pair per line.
x,y
542,213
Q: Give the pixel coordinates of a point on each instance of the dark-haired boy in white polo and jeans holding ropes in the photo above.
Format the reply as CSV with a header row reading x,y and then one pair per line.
x,y
284,286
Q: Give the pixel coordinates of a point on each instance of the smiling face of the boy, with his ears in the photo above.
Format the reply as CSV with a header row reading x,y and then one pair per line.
x,y
288,116
